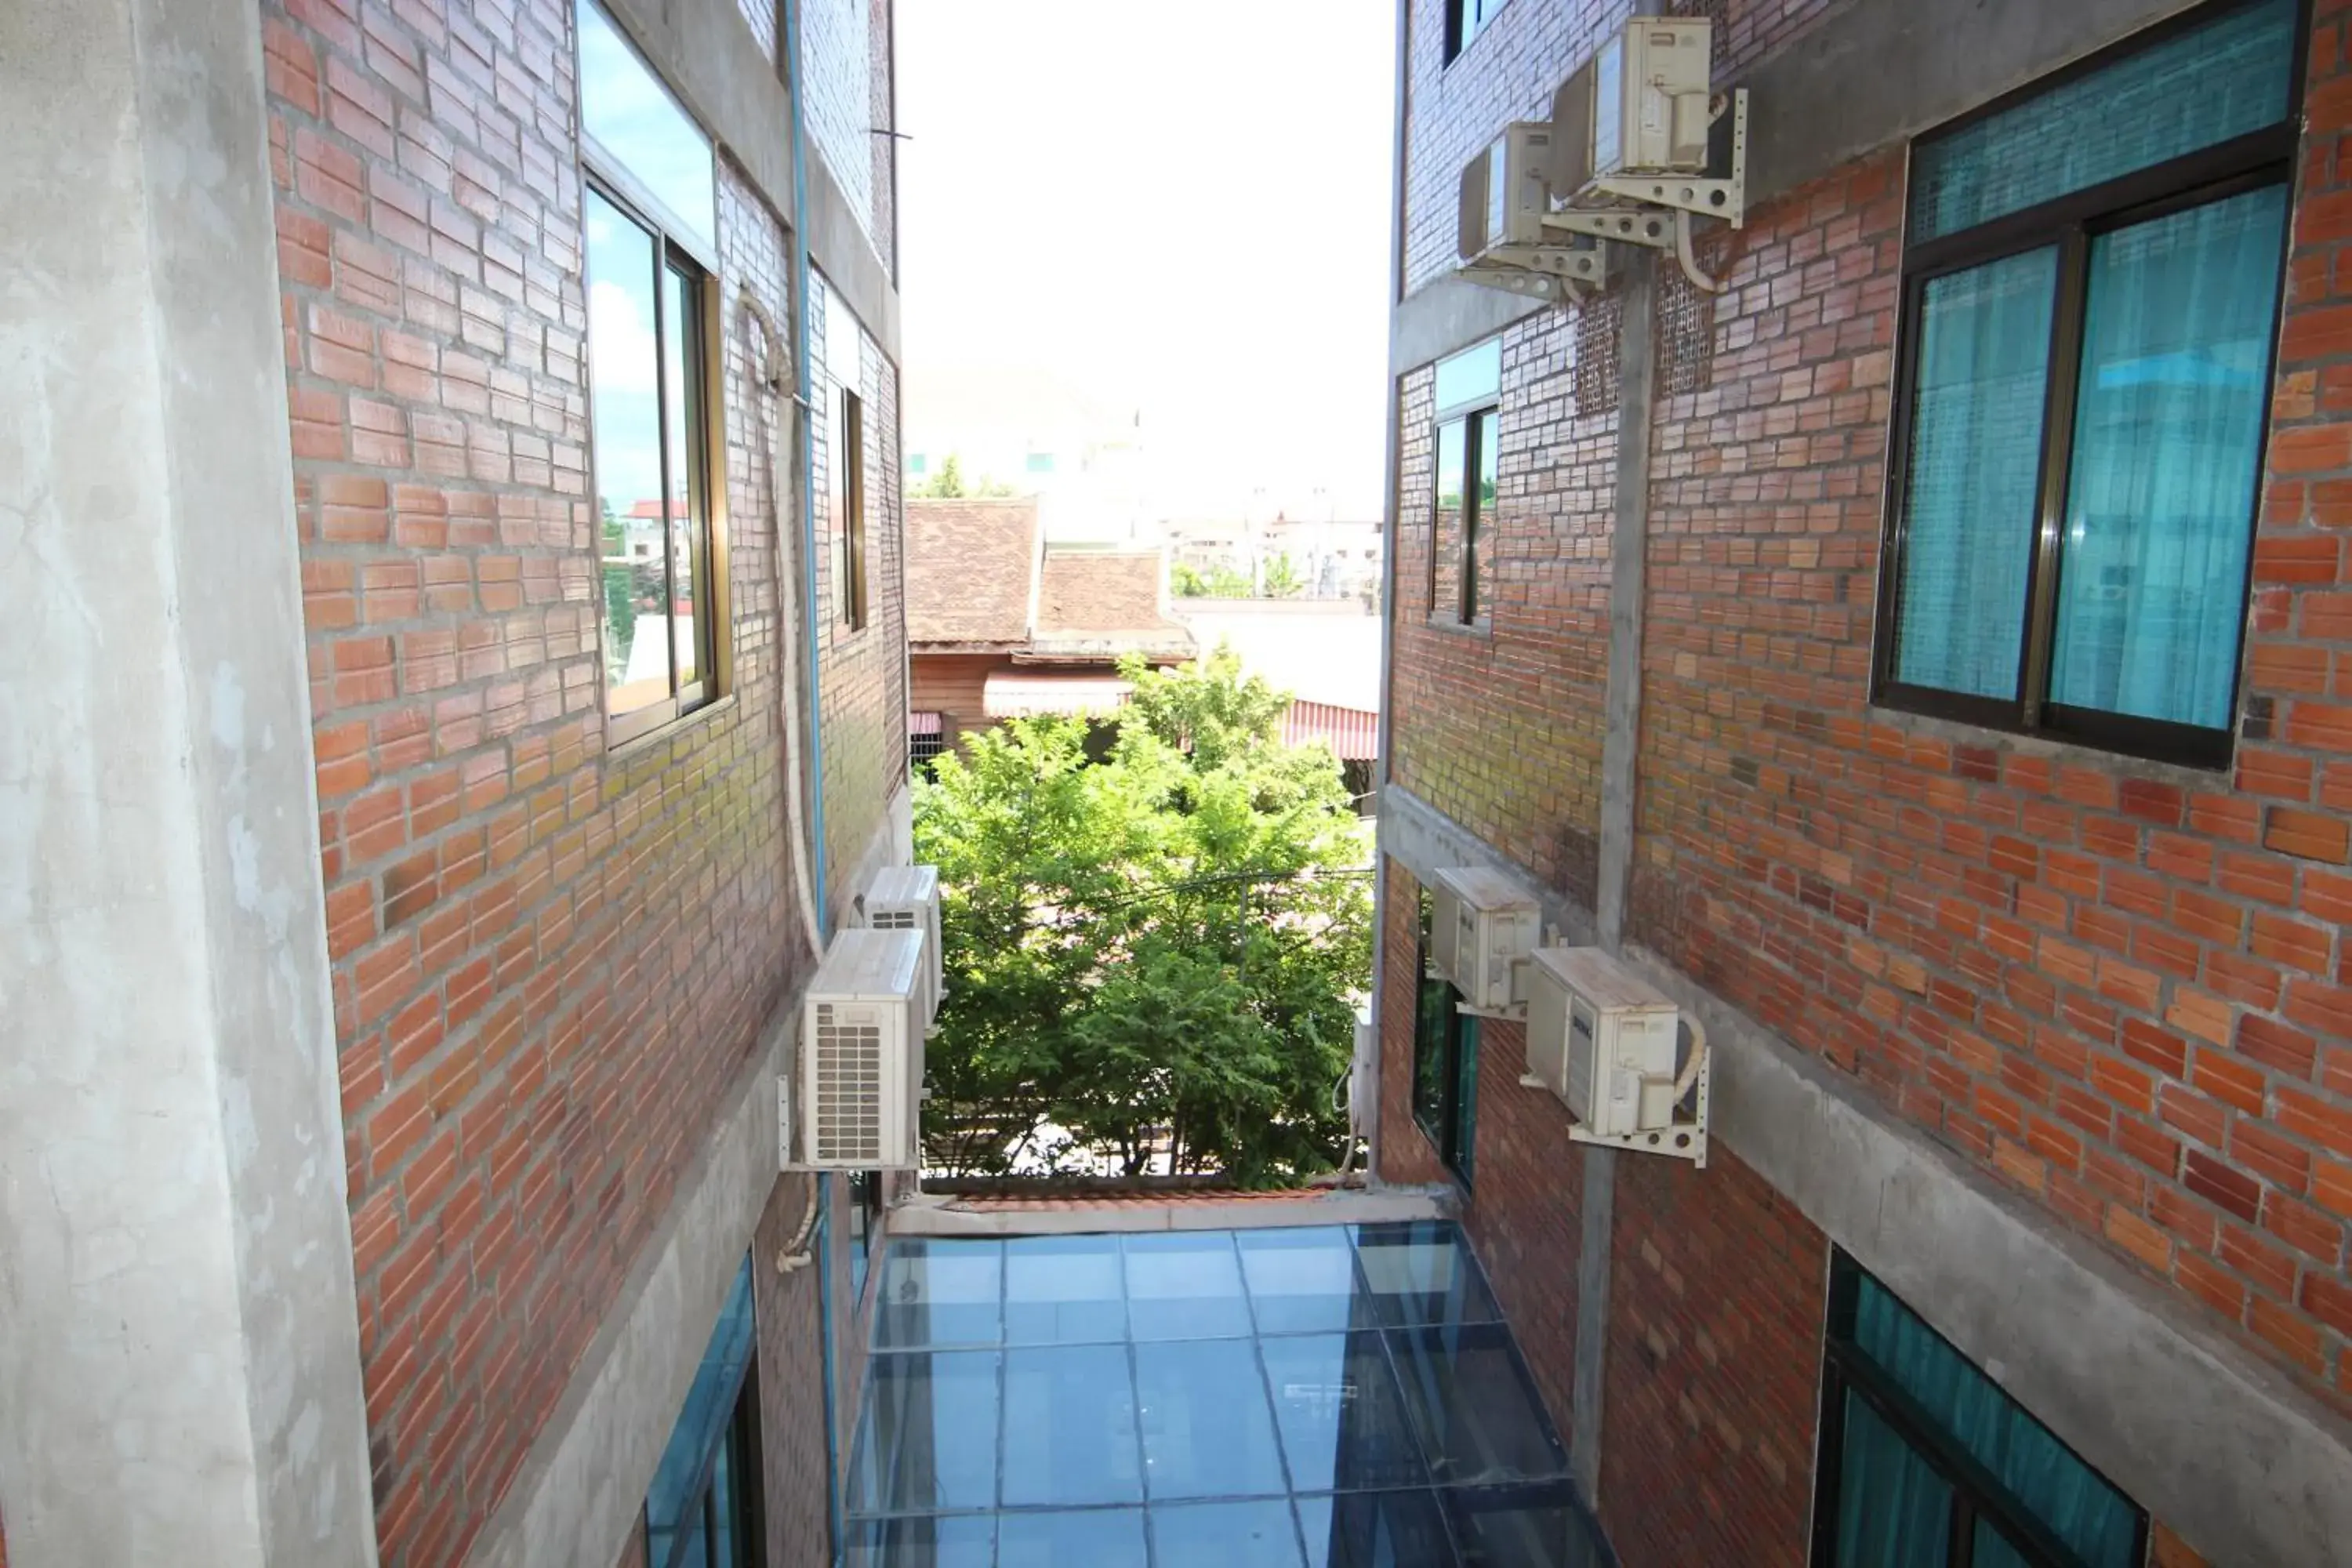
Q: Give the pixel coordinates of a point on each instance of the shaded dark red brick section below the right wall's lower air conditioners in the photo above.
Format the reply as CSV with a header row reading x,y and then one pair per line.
x,y
1716,1311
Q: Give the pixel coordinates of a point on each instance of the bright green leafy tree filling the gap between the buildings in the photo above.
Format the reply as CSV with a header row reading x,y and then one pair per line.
x,y
1154,953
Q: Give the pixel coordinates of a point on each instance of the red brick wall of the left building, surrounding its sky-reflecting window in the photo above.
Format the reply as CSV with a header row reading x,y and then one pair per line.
x,y
549,958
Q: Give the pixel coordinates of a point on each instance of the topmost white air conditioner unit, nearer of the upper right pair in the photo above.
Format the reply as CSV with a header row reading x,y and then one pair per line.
x,y
1638,107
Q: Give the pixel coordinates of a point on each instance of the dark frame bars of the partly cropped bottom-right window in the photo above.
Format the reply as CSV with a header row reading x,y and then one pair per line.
x,y
1977,1494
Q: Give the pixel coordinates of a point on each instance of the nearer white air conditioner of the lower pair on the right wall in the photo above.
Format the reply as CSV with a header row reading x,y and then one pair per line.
x,y
1608,1043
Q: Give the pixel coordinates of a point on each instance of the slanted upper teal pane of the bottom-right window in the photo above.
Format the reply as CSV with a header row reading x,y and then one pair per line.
x,y
2022,1454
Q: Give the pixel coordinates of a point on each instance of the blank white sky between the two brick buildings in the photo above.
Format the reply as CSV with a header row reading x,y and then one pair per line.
x,y
1175,206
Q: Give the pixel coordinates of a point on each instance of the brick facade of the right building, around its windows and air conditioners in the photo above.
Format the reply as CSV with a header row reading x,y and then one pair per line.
x,y
2118,989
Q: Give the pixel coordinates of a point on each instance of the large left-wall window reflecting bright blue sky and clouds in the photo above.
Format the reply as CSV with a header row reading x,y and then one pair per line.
x,y
648,217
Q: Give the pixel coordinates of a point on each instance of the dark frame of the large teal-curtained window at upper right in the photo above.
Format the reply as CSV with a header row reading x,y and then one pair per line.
x,y
2071,225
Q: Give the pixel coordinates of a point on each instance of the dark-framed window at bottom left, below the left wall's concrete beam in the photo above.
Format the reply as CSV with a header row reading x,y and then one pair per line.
x,y
704,1506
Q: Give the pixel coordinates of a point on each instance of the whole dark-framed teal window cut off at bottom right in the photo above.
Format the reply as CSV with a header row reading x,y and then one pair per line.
x,y
1927,1463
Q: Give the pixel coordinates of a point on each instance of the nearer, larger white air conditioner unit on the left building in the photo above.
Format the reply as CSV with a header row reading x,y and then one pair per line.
x,y
862,1057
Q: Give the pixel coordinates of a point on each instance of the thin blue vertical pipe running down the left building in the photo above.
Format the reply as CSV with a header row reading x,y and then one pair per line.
x,y
806,464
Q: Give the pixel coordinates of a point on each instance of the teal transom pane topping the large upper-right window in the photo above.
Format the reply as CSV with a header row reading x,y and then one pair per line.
x,y
2196,91
